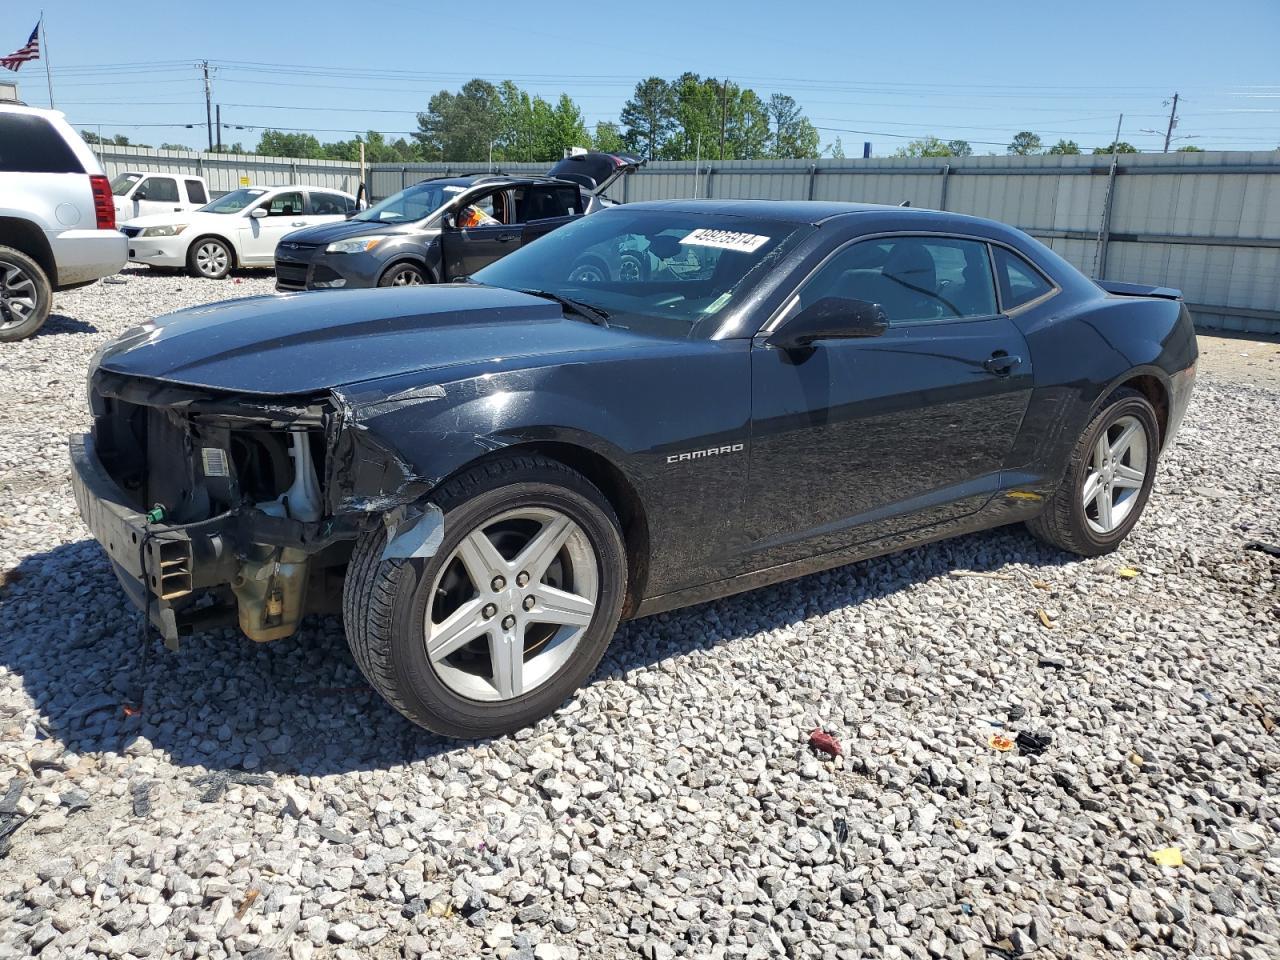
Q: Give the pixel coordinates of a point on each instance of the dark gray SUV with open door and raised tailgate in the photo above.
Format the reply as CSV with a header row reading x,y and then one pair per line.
x,y
446,227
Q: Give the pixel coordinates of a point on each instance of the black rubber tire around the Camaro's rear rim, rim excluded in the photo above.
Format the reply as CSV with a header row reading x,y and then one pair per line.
x,y
1064,522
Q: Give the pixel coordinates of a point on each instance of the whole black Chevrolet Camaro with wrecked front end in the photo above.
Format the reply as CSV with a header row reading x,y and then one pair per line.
x,y
486,477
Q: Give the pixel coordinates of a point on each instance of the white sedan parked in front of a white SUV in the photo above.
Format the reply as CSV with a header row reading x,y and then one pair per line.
x,y
237,230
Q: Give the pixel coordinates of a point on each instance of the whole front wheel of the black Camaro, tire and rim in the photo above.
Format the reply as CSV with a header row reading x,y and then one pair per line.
x,y
510,616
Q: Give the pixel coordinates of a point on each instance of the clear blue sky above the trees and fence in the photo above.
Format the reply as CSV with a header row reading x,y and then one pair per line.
x,y
884,72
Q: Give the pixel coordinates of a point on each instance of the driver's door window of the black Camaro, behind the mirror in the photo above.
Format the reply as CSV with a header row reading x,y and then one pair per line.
x,y
915,280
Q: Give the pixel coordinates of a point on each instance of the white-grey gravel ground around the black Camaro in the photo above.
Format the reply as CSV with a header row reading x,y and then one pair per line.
x,y
266,803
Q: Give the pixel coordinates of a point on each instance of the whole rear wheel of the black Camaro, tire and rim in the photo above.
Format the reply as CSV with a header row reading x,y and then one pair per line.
x,y
1108,482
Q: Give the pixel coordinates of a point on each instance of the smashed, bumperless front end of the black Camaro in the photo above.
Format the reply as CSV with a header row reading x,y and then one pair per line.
x,y
221,509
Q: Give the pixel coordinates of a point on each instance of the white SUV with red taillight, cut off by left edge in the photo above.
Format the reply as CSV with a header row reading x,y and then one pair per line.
x,y
57,217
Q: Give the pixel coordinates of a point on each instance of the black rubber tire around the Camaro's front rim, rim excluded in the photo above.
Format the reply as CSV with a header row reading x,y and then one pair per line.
x,y
385,602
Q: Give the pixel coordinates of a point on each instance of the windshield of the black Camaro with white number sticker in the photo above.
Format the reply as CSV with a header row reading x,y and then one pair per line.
x,y
655,272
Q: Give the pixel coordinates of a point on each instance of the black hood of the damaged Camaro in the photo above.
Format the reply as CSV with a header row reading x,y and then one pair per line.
x,y
310,342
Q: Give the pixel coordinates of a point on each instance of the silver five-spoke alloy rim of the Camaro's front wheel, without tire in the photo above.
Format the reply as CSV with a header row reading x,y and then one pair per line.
x,y
511,605
